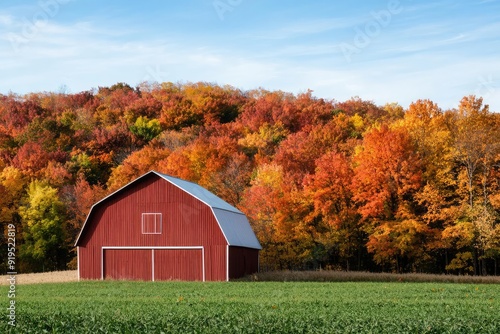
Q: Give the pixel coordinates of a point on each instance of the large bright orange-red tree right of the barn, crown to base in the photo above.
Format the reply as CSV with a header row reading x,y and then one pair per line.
x,y
386,176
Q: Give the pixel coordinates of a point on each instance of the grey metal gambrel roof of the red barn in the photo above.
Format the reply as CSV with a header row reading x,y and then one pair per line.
x,y
233,223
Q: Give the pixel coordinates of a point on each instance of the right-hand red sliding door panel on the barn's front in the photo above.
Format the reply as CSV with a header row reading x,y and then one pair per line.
x,y
178,264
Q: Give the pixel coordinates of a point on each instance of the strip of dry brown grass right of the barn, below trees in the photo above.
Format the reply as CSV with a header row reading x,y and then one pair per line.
x,y
356,276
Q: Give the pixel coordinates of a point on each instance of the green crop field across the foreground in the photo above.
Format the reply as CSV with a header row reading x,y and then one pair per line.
x,y
254,307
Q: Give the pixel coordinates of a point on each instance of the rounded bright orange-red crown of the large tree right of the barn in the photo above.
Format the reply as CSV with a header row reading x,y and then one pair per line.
x,y
386,174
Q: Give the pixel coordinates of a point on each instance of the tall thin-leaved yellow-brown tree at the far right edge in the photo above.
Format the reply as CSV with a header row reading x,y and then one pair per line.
x,y
477,147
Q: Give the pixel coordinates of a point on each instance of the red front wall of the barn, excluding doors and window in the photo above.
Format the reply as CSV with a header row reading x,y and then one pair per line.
x,y
186,222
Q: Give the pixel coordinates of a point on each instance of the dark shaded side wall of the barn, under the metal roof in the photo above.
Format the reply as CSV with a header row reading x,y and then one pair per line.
x,y
243,261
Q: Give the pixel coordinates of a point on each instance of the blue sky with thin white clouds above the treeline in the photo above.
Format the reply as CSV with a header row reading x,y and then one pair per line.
x,y
383,51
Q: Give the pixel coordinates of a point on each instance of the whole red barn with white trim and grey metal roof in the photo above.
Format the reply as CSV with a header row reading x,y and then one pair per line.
x,y
159,227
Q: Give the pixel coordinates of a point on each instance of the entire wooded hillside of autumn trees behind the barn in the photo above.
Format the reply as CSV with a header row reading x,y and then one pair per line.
x,y
326,184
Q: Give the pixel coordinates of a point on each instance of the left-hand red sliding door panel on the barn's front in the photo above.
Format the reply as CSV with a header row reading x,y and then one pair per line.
x,y
127,264
